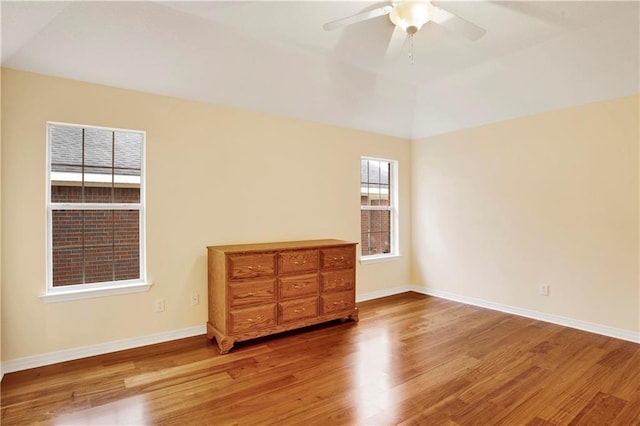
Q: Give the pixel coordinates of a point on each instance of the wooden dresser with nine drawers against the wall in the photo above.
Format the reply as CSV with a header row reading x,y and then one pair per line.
x,y
261,289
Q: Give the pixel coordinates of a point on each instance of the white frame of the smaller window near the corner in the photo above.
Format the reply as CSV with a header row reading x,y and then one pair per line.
x,y
394,252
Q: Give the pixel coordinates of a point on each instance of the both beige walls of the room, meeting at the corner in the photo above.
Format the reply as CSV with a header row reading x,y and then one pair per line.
x,y
498,210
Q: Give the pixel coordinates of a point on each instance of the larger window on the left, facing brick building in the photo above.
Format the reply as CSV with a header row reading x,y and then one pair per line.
x,y
95,207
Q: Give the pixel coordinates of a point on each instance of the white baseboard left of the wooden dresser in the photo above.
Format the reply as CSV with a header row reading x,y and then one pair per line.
x,y
98,349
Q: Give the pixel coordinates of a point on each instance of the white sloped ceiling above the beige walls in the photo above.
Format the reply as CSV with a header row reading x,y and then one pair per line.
x,y
275,57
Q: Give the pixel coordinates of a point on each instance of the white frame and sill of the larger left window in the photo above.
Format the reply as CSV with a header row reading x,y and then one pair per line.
x,y
85,291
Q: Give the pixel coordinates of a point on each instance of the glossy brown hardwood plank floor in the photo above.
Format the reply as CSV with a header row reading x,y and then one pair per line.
x,y
412,359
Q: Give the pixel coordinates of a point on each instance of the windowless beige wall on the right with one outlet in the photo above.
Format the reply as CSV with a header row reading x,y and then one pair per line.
x,y
551,198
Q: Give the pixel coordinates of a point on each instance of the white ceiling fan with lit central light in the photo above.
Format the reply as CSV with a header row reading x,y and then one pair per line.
x,y
409,16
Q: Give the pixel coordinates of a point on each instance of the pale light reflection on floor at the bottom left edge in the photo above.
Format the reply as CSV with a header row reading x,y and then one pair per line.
x,y
131,411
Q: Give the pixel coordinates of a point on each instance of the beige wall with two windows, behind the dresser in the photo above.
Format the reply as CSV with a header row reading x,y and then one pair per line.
x,y
215,175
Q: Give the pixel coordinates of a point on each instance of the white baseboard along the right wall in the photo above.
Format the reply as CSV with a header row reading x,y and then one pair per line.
x,y
604,330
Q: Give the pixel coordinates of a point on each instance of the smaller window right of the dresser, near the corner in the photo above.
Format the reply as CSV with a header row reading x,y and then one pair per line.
x,y
378,208
